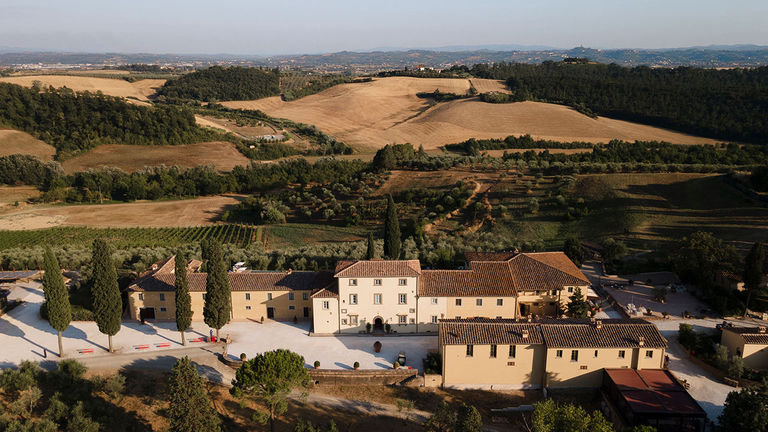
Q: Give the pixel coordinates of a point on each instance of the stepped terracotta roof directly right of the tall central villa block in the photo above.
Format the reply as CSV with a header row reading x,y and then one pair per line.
x,y
485,279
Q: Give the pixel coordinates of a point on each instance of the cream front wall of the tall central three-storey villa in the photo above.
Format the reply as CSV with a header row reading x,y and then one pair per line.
x,y
366,310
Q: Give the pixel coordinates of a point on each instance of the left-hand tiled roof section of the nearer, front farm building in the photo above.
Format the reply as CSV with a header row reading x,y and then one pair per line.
x,y
487,332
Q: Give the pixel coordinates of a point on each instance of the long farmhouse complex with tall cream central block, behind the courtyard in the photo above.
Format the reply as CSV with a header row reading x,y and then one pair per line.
x,y
379,295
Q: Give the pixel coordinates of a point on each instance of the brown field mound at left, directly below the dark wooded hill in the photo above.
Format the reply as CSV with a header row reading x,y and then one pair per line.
x,y
130,158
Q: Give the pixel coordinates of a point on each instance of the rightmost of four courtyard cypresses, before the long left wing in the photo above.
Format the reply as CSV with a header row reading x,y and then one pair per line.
x,y
217,292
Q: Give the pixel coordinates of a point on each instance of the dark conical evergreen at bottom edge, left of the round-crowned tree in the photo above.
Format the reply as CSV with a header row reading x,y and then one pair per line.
x,y
189,409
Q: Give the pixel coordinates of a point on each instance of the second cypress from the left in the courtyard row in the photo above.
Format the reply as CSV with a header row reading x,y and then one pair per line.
x,y
107,304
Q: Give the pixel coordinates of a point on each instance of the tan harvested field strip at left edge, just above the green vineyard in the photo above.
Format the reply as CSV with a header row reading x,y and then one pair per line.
x,y
192,212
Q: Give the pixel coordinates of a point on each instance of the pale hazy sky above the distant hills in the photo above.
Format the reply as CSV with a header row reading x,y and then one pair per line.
x,y
311,26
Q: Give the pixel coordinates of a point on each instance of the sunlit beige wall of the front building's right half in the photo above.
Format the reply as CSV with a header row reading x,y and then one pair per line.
x,y
588,370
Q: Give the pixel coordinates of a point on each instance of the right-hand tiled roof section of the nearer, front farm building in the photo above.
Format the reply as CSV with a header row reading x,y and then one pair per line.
x,y
624,333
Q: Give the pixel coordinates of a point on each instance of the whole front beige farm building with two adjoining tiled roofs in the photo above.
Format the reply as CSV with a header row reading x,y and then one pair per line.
x,y
515,354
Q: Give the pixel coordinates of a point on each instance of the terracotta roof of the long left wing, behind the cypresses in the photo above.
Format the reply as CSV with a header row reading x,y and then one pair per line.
x,y
245,281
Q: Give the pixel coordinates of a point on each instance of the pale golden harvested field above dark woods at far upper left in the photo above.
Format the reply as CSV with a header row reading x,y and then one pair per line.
x,y
114,87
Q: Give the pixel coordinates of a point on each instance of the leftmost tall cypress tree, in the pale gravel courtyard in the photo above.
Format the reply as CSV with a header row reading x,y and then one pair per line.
x,y
56,296
